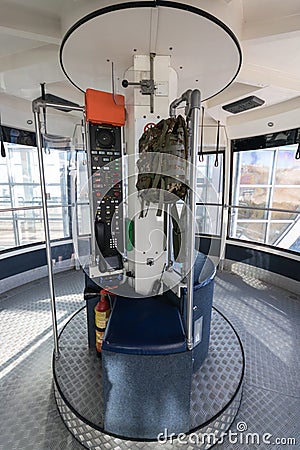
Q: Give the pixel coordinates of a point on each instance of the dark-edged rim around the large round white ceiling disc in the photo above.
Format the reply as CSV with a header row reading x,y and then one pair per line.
x,y
227,34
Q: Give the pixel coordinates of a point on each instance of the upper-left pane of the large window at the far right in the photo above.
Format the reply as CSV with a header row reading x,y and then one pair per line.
x,y
255,166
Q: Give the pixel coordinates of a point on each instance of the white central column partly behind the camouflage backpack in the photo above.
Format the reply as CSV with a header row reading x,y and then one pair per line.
x,y
147,259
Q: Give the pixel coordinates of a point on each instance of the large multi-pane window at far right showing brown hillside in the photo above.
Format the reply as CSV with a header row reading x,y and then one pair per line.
x,y
265,201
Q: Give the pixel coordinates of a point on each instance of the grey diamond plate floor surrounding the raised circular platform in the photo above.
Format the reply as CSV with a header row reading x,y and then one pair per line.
x,y
266,318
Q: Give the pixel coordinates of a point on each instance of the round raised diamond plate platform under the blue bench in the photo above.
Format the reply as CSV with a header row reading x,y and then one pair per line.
x,y
215,396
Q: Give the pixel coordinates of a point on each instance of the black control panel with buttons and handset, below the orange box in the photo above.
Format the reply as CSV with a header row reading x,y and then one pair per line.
x,y
106,171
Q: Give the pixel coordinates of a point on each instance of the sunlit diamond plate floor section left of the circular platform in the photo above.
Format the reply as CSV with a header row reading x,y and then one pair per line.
x,y
29,419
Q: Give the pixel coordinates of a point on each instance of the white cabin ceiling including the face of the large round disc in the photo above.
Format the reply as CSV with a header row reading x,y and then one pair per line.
x,y
30,36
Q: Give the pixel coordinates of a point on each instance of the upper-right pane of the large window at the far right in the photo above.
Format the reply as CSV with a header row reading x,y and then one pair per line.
x,y
287,169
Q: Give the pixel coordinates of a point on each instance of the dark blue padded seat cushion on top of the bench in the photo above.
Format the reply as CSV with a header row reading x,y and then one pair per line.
x,y
147,326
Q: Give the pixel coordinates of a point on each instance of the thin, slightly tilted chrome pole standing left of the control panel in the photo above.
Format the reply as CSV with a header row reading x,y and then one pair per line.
x,y
46,225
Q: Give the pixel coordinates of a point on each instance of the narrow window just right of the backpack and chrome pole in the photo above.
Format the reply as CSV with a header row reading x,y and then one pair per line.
x,y
209,194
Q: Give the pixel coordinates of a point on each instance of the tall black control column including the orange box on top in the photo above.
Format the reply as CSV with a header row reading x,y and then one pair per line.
x,y
105,117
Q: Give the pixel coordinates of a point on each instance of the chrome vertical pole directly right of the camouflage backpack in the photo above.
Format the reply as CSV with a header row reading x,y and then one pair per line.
x,y
195,114
